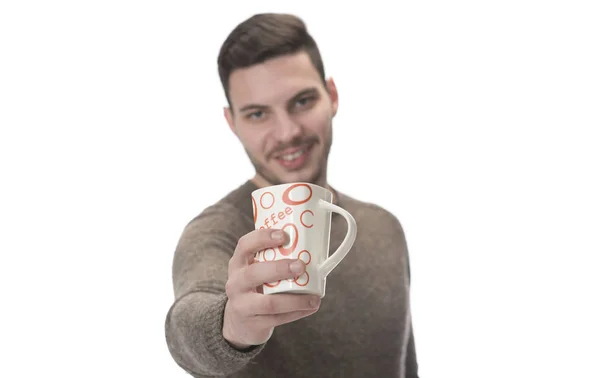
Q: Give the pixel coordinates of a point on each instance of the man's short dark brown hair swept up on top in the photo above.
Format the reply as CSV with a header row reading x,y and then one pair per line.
x,y
262,37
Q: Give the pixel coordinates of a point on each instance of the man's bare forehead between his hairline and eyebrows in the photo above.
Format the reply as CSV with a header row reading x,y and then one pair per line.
x,y
273,81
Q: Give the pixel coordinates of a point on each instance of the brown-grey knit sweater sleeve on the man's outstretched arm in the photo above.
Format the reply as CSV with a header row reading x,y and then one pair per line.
x,y
194,322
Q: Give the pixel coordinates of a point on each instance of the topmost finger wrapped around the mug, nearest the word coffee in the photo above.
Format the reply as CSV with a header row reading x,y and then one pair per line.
x,y
253,242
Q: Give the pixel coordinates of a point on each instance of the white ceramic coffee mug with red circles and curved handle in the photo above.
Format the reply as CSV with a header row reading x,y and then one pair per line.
x,y
303,211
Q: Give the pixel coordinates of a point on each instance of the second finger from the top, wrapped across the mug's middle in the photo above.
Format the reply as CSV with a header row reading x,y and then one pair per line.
x,y
264,272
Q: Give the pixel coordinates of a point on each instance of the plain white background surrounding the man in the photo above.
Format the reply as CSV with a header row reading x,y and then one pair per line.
x,y
476,123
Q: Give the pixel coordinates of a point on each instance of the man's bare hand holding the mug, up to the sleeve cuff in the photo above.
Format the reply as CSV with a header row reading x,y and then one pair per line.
x,y
250,316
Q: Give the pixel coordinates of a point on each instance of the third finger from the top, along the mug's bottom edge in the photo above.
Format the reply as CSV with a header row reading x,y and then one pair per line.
x,y
281,303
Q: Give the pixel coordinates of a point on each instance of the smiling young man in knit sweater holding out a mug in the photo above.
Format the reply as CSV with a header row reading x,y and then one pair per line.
x,y
281,108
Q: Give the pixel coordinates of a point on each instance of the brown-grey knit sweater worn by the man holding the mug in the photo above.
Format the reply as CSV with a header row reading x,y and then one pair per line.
x,y
362,329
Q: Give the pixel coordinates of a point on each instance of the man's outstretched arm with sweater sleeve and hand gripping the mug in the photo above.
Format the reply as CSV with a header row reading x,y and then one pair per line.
x,y
217,304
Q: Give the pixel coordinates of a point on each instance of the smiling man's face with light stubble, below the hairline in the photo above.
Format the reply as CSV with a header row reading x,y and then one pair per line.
x,y
282,113
